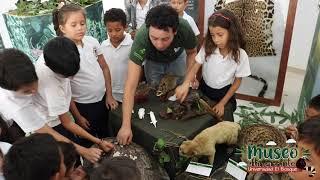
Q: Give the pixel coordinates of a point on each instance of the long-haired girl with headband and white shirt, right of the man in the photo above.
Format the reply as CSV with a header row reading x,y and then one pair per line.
x,y
224,62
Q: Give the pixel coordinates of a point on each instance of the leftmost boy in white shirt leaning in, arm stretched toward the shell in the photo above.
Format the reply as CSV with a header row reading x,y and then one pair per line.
x,y
18,84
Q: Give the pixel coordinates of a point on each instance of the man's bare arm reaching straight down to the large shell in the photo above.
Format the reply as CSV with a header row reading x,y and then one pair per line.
x,y
125,134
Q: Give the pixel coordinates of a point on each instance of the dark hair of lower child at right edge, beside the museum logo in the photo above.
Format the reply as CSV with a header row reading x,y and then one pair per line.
x,y
309,132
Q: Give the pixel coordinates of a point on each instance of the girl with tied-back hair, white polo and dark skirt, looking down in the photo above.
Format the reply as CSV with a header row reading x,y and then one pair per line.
x,y
91,86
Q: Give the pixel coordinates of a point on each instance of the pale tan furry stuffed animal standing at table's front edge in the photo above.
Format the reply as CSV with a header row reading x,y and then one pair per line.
x,y
204,143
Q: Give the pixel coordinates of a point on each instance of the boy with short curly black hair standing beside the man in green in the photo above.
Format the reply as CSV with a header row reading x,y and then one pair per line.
x,y
116,49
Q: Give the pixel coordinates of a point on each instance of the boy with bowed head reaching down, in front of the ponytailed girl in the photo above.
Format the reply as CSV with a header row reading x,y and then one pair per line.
x,y
60,62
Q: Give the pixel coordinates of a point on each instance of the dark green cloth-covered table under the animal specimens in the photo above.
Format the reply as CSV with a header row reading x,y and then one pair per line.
x,y
145,134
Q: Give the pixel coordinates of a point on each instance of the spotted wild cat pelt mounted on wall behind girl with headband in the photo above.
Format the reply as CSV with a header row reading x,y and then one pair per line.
x,y
256,19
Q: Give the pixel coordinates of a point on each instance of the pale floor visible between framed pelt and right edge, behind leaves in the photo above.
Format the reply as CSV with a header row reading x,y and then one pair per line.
x,y
291,92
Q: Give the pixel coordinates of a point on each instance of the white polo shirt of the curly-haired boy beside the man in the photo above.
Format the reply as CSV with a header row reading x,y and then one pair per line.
x,y
117,60
